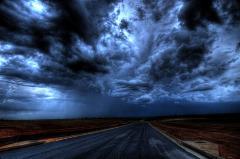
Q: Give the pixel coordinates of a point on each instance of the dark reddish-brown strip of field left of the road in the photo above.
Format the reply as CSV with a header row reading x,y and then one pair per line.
x,y
16,131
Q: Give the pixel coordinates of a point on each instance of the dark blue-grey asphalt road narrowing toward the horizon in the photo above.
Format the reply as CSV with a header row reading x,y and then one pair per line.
x,y
134,141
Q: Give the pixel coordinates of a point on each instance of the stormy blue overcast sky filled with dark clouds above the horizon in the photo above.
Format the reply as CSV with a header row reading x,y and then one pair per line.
x,y
76,58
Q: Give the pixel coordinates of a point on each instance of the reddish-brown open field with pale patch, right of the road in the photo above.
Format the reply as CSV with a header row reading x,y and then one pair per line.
x,y
217,135
